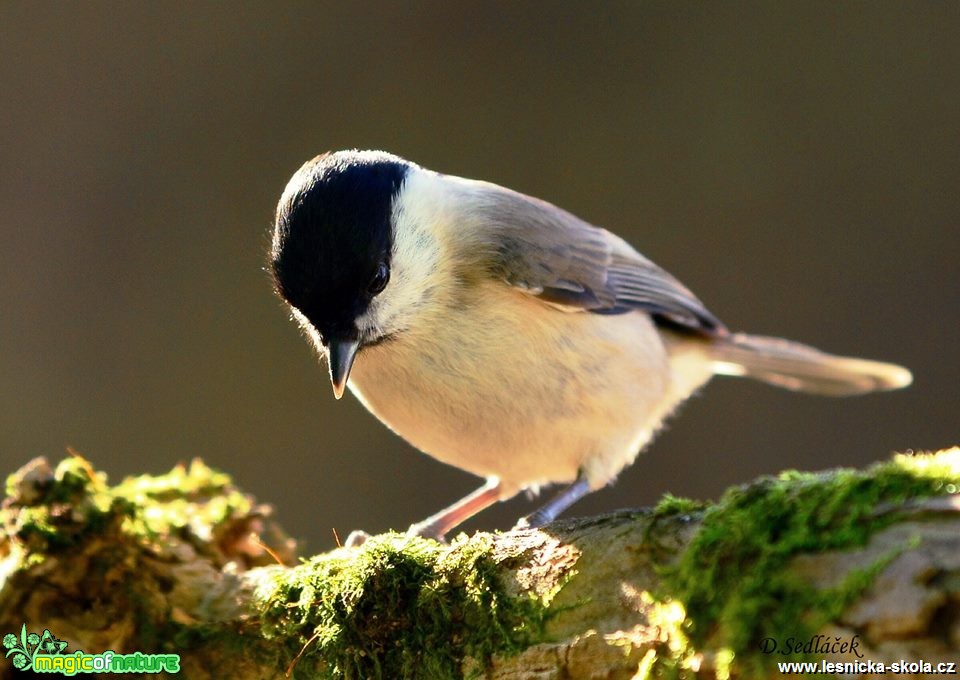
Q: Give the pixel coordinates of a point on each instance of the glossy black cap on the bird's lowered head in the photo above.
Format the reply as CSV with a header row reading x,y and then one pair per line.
x,y
332,233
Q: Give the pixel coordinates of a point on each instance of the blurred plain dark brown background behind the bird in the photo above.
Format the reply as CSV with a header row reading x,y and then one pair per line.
x,y
796,164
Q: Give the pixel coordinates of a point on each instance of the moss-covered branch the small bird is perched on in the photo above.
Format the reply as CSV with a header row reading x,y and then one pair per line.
x,y
185,563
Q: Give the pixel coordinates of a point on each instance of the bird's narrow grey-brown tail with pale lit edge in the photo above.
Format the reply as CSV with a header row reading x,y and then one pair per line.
x,y
795,366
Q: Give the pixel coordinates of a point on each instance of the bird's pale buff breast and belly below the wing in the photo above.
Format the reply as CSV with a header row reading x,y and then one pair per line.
x,y
521,391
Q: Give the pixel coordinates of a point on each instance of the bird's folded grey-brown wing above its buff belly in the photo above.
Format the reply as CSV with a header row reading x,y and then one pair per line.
x,y
550,253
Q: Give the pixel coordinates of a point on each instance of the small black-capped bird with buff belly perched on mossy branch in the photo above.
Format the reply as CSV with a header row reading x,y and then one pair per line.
x,y
503,335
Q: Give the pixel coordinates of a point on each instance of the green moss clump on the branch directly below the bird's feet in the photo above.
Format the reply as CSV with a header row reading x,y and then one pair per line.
x,y
398,607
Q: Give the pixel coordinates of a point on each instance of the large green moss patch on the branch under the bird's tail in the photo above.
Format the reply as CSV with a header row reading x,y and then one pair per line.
x,y
733,580
